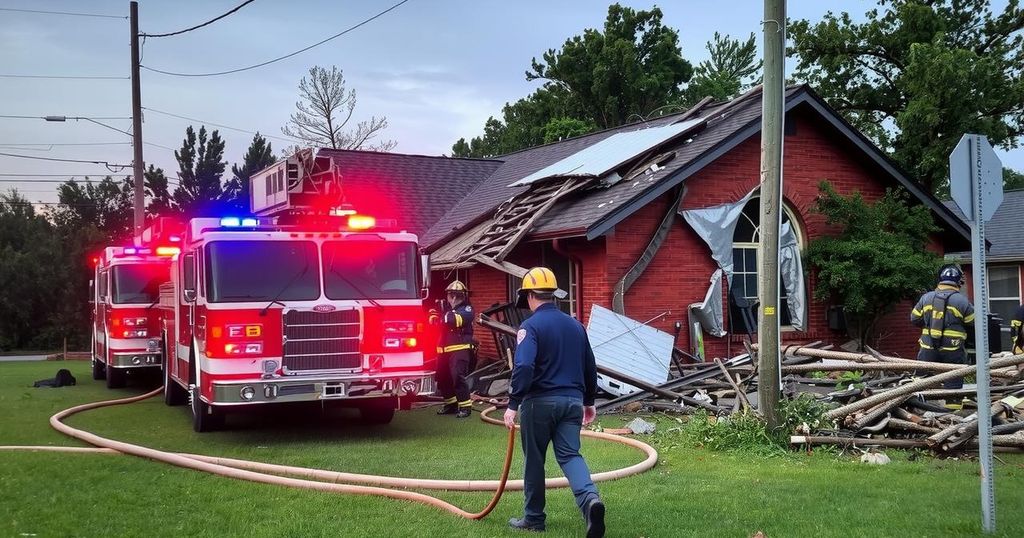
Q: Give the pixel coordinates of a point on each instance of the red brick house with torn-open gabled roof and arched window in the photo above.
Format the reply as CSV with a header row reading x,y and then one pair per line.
x,y
604,212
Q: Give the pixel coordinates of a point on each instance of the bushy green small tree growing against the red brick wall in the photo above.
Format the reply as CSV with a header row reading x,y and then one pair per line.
x,y
878,259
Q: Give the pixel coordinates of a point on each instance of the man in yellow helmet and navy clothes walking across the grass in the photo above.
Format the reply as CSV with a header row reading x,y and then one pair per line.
x,y
554,383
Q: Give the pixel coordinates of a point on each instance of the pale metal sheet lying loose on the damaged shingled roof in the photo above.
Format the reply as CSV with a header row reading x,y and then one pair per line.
x,y
606,156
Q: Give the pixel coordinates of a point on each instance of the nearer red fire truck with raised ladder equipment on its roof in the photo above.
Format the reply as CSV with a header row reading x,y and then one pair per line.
x,y
295,305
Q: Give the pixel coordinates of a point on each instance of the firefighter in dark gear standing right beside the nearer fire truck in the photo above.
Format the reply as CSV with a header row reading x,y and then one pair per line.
x,y
455,352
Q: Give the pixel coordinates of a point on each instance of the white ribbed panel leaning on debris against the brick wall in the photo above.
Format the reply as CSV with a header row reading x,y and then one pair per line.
x,y
629,347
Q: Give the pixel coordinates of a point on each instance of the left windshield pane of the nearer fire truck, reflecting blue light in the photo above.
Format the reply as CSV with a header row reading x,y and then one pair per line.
x,y
262,271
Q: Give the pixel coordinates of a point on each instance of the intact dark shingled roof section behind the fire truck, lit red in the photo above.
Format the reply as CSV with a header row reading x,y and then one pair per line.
x,y
415,190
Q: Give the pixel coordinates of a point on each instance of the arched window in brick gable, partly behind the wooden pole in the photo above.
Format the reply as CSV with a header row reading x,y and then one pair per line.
x,y
746,264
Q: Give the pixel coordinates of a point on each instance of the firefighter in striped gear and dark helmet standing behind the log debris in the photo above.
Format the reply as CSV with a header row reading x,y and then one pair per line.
x,y
944,316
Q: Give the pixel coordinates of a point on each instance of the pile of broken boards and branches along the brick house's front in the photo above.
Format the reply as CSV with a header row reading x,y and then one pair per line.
x,y
874,400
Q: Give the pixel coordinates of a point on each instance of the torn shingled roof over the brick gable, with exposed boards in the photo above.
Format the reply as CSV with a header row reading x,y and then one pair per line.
x,y
593,213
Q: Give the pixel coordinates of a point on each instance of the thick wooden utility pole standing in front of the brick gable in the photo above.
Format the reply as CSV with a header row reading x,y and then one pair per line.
x,y
773,118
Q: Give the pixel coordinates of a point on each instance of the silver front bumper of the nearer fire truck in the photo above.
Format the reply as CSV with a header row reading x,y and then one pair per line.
x,y
309,389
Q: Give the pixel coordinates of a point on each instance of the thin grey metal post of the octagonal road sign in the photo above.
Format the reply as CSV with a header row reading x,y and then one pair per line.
x,y
982,342
